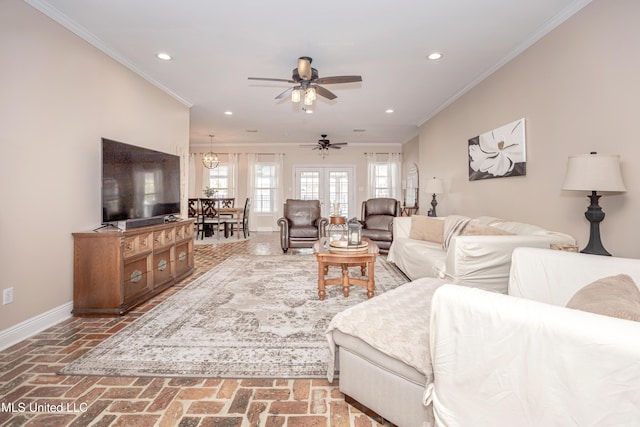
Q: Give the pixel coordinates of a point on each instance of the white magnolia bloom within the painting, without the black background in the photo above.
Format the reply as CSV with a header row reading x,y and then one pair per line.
x,y
499,150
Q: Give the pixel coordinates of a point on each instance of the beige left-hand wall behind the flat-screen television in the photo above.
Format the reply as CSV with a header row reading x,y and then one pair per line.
x,y
59,96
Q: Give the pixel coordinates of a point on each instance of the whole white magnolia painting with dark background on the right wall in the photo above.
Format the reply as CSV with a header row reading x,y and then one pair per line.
x,y
498,153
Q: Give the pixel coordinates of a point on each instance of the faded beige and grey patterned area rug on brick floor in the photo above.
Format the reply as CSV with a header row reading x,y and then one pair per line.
x,y
249,317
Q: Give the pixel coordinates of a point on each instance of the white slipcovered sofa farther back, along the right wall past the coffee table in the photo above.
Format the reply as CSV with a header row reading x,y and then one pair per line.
x,y
478,260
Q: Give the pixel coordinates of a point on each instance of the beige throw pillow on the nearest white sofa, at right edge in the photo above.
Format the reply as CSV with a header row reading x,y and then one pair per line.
x,y
615,296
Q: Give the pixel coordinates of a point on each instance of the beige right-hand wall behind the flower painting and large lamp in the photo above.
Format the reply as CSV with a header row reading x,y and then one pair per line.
x,y
579,90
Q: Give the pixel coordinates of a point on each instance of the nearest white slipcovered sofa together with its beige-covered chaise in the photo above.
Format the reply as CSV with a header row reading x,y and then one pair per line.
x,y
498,360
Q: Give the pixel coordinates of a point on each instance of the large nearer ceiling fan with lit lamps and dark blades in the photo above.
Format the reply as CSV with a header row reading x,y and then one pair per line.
x,y
307,83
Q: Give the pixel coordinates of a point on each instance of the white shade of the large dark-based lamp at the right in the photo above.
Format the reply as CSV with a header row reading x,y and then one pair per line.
x,y
594,172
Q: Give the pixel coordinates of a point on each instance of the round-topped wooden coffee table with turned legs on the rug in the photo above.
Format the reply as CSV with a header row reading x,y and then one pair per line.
x,y
366,260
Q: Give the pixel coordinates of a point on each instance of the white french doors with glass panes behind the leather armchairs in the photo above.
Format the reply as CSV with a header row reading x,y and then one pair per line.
x,y
333,186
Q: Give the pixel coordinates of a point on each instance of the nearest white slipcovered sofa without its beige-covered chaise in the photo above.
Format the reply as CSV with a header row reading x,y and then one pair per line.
x,y
529,361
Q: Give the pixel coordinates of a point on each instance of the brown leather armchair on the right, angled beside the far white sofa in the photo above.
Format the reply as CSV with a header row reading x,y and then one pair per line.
x,y
377,220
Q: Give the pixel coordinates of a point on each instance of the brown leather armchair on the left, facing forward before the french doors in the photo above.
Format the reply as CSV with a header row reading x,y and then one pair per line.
x,y
302,224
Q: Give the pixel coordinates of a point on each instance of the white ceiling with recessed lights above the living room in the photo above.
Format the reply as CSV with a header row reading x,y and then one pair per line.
x,y
216,45
